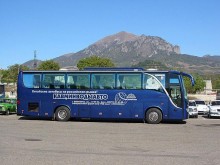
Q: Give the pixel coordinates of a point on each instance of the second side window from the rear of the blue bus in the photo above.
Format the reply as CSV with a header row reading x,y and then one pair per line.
x,y
53,81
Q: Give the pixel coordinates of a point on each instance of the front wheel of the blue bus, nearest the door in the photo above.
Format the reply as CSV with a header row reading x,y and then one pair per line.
x,y
153,116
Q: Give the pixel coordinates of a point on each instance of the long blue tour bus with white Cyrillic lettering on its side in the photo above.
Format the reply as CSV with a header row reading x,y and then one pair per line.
x,y
103,94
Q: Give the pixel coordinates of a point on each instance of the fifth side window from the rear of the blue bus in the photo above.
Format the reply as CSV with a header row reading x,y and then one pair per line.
x,y
129,81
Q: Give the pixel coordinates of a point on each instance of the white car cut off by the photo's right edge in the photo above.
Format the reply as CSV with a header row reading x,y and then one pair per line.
x,y
214,109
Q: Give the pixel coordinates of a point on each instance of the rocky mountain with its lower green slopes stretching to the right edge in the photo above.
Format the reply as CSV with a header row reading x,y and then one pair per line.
x,y
126,49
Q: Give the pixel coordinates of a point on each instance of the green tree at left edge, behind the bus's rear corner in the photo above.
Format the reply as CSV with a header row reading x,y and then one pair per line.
x,y
10,75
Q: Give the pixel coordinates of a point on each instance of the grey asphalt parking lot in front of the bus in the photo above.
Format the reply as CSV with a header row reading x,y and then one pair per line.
x,y
30,141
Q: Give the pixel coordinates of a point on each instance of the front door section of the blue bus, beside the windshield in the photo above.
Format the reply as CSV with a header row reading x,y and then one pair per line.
x,y
176,91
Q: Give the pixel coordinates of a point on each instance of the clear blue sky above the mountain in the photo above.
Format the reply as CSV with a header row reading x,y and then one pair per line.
x,y
57,27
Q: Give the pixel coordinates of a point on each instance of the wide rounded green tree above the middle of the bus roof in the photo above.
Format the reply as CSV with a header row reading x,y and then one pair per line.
x,y
94,61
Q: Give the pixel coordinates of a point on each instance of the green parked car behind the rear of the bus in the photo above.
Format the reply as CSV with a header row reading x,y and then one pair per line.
x,y
8,106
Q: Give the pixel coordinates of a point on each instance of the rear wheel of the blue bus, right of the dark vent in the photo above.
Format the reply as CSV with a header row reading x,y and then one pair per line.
x,y
62,113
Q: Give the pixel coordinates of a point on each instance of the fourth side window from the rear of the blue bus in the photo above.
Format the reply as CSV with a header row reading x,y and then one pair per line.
x,y
103,81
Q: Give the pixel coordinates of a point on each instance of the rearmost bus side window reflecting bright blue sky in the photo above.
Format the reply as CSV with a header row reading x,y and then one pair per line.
x,y
31,80
